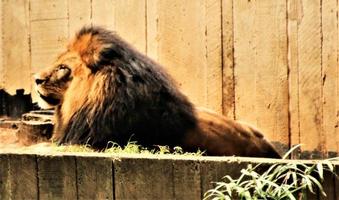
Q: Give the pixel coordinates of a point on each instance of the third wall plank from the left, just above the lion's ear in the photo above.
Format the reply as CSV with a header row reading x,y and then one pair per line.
x,y
79,15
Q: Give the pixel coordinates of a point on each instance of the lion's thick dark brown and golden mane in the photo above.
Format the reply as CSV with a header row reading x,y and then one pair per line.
x,y
129,97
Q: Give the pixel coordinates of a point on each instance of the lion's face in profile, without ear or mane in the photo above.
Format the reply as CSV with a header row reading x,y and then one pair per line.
x,y
52,83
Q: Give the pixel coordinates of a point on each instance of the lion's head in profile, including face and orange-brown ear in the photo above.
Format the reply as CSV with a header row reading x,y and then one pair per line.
x,y
78,61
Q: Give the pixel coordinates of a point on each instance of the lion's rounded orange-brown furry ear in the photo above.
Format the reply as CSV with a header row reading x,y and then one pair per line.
x,y
89,48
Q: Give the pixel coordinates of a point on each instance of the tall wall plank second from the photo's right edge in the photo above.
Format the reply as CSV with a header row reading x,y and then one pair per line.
x,y
310,79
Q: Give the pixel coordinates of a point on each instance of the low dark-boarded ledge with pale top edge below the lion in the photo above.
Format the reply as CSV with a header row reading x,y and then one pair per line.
x,y
57,175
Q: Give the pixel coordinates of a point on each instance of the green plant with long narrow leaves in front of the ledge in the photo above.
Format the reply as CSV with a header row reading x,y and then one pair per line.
x,y
280,181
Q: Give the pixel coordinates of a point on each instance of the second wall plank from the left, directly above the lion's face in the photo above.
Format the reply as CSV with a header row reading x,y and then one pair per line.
x,y
49,31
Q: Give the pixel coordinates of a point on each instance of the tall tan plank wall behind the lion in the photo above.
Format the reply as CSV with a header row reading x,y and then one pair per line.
x,y
271,63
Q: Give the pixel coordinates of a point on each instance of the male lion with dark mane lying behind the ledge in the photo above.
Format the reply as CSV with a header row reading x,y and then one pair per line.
x,y
103,90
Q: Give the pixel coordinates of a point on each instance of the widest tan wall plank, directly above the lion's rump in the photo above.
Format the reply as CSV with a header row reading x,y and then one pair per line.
x,y
261,67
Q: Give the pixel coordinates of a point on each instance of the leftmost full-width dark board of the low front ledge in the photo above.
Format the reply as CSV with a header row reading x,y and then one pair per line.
x,y
23,182
